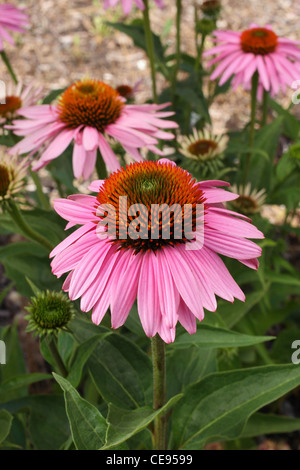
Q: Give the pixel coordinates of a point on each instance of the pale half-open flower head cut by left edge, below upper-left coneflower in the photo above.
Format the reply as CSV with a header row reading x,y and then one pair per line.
x,y
12,175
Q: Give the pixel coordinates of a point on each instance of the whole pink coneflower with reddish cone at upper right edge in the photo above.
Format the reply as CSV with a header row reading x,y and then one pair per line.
x,y
241,54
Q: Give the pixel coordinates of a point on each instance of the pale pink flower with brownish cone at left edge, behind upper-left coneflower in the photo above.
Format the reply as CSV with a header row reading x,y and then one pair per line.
x,y
18,97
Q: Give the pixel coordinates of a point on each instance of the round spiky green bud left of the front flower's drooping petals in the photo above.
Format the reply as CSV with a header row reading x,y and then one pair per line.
x,y
49,313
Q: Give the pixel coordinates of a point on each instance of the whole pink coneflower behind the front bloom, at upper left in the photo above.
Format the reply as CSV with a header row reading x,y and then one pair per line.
x,y
85,113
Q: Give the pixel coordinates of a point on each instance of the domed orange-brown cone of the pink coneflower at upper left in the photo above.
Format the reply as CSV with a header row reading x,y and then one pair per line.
x,y
90,103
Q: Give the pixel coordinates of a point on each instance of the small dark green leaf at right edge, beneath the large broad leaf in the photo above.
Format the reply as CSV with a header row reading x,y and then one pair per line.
x,y
263,423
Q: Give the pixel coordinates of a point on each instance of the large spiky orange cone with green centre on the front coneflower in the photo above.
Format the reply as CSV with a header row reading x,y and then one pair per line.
x,y
162,191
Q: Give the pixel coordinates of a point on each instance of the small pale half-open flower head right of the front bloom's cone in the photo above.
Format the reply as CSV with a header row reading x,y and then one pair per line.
x,y
250,200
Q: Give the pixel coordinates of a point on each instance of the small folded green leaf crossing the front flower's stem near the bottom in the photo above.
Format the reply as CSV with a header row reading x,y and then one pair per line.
x,y
122,424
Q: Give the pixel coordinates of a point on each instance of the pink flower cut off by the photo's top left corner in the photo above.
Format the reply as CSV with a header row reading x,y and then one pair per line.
x,y
13,19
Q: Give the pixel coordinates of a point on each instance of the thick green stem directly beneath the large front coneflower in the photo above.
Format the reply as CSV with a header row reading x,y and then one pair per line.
x,y
159,391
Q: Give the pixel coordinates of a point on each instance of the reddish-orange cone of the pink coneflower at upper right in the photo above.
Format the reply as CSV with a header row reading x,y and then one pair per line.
x,y
259,41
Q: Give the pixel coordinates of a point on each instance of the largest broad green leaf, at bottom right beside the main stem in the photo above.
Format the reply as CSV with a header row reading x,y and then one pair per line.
x,y
219,405
